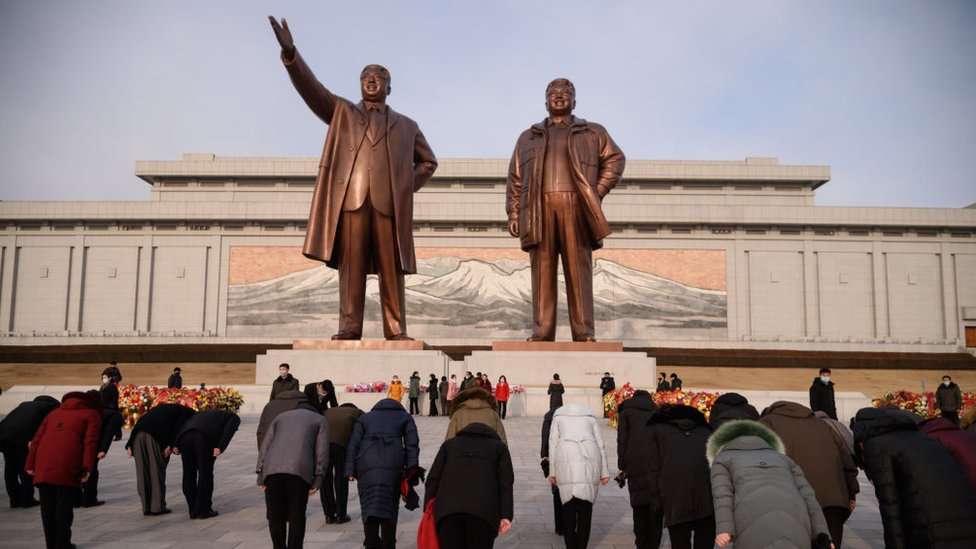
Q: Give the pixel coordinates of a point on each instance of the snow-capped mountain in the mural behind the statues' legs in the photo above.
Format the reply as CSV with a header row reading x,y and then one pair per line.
x,y
477,299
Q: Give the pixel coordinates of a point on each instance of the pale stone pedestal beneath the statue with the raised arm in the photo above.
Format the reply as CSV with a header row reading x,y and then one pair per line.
x,y
351,362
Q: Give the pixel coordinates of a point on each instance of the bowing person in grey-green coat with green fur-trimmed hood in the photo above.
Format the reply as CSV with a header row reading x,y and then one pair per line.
x,y
761,497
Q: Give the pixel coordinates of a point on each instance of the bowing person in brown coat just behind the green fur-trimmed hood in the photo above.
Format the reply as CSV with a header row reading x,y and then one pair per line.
x,y
823,457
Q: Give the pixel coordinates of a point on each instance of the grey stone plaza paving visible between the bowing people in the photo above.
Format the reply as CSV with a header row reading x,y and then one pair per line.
x,y
242,525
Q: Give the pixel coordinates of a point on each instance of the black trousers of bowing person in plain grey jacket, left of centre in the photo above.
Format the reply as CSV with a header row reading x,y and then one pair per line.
x,y
287,499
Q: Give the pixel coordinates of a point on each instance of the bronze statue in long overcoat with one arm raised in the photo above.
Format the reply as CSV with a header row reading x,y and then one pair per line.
x,y
361,219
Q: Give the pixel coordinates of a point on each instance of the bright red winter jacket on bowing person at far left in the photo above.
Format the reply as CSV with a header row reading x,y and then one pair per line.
x,y
65,446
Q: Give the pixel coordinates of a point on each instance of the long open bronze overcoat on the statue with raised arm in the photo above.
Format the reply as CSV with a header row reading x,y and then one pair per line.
x,y
411,164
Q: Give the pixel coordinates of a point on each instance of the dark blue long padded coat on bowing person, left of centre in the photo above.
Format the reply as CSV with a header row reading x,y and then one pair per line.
x,y
383,446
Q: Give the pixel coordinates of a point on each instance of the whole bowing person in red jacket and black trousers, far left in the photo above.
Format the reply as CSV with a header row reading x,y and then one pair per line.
x,y
62,456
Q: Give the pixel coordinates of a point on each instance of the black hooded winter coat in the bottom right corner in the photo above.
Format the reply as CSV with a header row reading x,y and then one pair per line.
x,y
923,495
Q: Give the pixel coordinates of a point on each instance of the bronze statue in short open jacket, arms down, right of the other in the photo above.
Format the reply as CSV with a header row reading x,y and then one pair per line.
x,y
560,171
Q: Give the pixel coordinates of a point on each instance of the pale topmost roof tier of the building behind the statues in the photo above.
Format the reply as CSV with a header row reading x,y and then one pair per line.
x,y
759,169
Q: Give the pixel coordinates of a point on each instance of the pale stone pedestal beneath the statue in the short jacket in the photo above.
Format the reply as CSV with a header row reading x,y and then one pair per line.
x,y
584,369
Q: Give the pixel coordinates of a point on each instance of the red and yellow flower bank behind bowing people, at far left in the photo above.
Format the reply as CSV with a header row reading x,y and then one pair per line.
x,y
136,400
